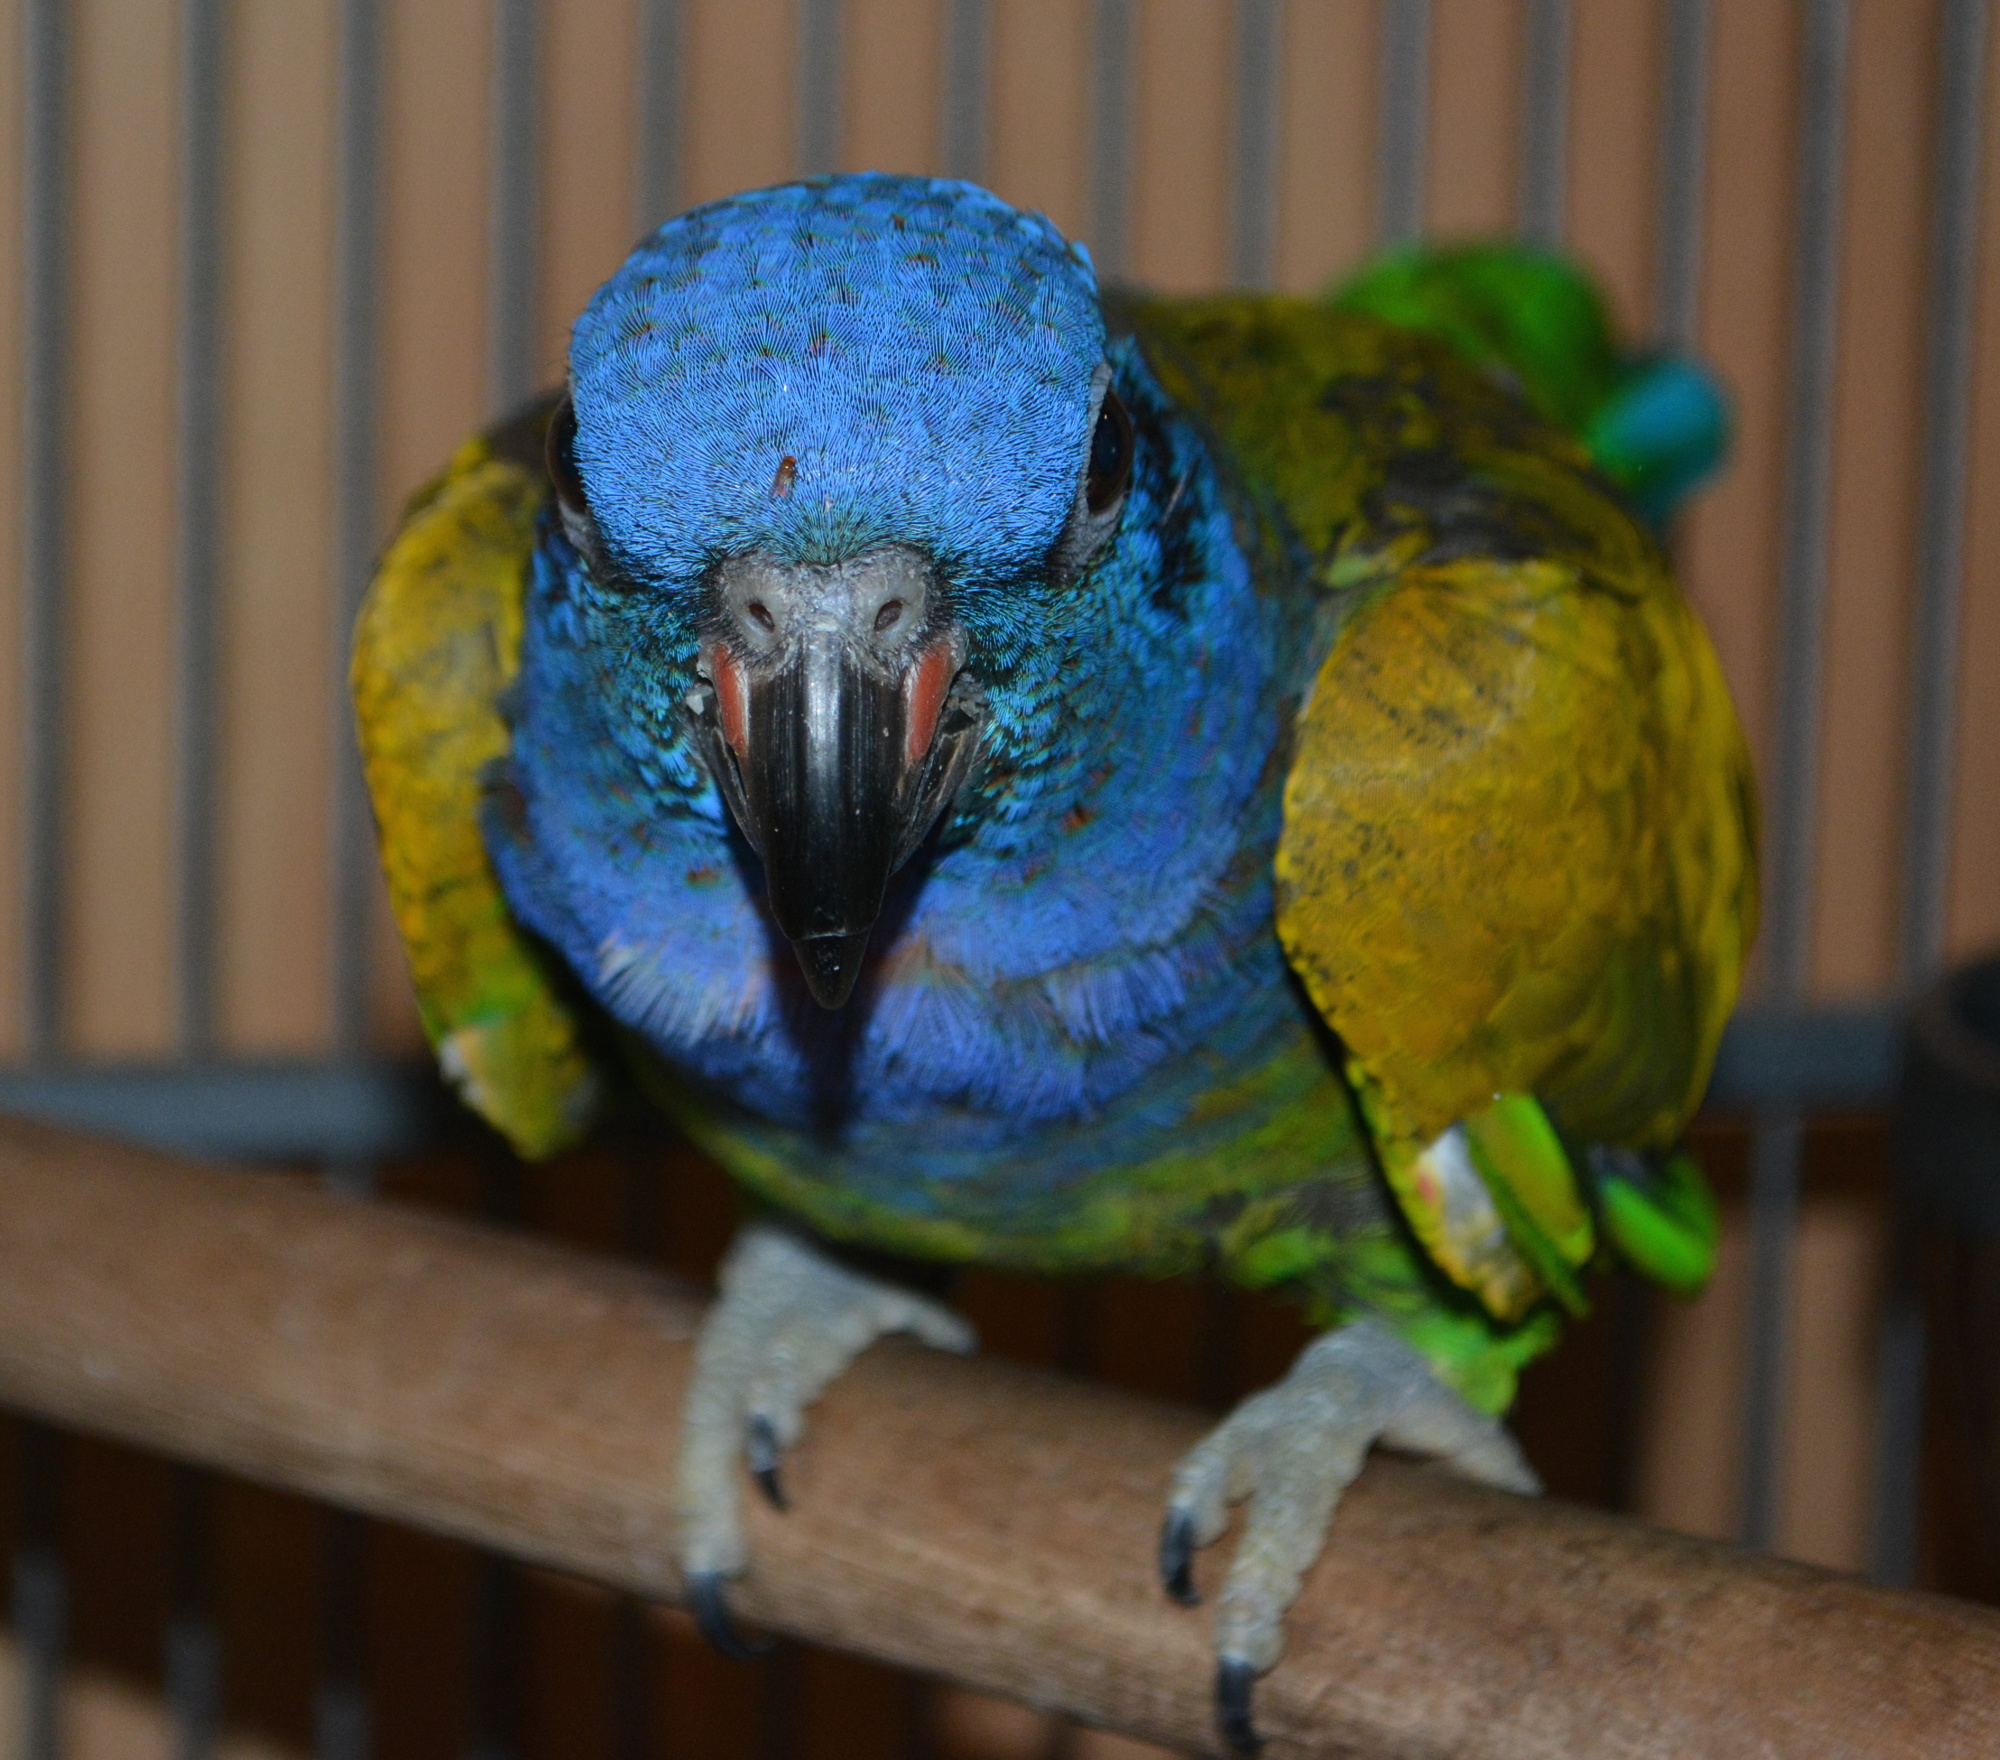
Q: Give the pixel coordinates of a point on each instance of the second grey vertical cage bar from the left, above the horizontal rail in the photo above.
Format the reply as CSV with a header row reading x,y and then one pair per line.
x,y
199,539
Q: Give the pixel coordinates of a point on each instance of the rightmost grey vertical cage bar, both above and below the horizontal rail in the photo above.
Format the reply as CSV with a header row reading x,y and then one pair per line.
x,y
1955,255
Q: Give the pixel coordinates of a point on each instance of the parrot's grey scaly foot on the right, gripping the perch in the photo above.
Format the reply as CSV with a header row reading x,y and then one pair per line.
x,y
1293,1451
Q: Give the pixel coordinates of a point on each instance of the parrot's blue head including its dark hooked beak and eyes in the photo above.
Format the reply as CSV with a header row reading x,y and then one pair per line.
x,y
833,463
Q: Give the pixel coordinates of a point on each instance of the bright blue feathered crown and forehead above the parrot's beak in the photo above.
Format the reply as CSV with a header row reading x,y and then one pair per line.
x,y
919,349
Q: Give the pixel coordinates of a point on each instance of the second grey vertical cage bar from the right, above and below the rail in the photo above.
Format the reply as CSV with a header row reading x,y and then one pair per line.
x,y
1777,1145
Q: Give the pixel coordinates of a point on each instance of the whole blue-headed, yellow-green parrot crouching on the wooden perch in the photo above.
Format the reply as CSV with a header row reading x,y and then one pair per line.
x,y
1037,775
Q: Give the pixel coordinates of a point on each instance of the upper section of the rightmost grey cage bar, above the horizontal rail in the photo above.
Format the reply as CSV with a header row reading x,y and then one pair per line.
x,y
1943,507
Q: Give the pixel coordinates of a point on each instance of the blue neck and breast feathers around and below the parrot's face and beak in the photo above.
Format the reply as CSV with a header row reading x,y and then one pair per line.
x,y
1097,909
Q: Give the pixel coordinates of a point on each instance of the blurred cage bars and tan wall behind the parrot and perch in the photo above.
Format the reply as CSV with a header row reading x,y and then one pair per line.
x,y
267,263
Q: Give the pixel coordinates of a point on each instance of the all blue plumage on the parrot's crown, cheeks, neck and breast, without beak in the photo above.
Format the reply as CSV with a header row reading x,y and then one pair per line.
x,y
1091,929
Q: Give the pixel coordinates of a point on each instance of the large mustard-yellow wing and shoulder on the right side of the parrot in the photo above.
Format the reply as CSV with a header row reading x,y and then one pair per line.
x,y
1517,869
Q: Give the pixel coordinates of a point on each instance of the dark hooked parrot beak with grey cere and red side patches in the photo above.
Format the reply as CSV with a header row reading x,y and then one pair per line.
x,y
839,721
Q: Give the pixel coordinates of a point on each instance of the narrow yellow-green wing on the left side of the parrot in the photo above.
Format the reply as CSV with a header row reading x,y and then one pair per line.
x,y
437,645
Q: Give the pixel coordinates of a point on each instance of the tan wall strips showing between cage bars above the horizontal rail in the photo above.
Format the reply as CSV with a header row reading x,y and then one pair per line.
x,y
281,713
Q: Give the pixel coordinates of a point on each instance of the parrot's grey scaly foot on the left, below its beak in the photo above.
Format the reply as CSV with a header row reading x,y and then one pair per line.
x,y
789,1321
